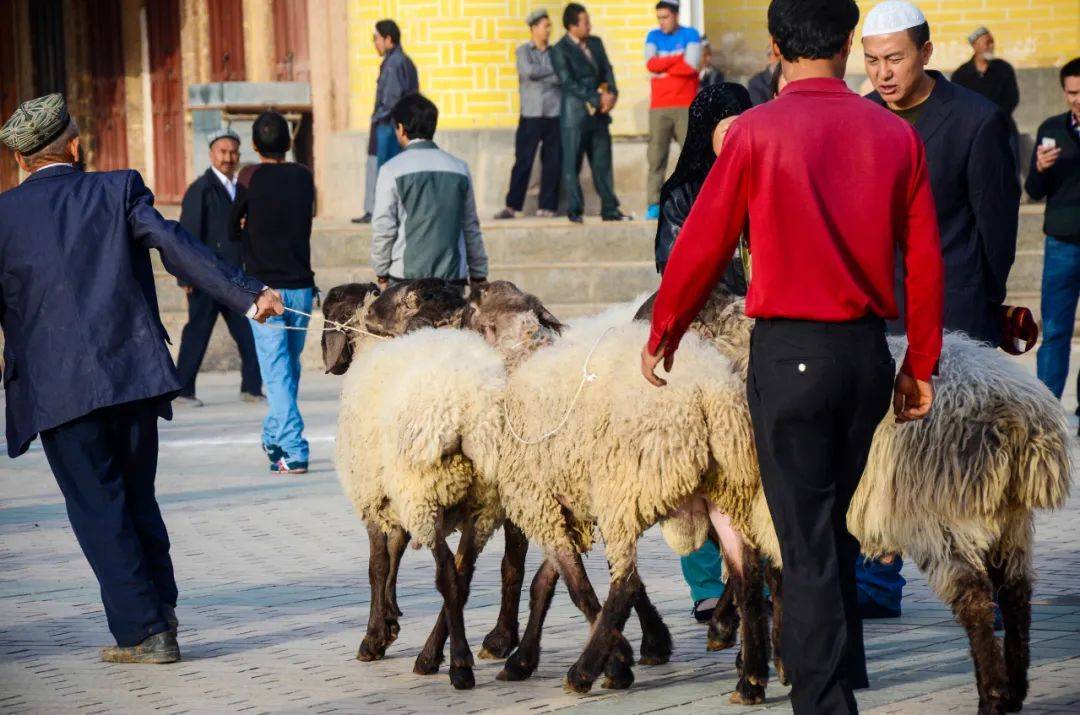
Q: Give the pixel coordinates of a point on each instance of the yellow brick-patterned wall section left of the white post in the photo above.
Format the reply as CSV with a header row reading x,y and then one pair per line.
x,y
465,55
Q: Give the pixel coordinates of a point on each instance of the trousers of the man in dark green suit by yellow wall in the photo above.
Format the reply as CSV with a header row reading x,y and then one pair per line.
x,y
593,140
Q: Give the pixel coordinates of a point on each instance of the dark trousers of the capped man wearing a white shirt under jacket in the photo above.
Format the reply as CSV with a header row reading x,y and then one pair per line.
x,y
202,314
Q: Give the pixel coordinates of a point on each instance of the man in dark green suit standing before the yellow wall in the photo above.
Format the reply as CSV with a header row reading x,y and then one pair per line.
x,y
589,97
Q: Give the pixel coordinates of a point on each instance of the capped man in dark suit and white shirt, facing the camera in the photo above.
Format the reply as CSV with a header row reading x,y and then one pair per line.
x,y
208,206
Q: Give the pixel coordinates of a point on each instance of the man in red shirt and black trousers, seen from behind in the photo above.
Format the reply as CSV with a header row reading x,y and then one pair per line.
x,y
831,185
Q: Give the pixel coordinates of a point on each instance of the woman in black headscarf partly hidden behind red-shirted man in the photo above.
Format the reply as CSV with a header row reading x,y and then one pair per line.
x,y
705,134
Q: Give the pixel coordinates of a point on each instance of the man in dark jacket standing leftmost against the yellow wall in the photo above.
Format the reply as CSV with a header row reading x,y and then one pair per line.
x,y
397,78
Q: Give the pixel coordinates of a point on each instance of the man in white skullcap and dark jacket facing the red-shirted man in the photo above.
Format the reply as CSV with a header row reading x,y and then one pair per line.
x,y
977,196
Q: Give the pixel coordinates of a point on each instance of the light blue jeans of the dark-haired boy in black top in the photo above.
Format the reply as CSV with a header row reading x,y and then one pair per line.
x,y
279,352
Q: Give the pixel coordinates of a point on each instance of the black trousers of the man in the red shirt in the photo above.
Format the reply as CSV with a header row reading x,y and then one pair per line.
x,y
817,394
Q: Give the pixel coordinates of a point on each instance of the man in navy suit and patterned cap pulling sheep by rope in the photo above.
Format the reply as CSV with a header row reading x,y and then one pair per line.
x,y
86,363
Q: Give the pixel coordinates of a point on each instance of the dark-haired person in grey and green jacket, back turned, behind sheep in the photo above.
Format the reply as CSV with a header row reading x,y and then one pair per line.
x,y
425,223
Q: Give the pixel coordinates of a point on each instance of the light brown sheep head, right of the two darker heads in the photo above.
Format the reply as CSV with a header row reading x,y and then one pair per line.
x,y
512,321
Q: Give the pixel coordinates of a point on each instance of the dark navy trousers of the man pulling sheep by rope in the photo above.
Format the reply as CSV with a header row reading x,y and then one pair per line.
x,y
105,464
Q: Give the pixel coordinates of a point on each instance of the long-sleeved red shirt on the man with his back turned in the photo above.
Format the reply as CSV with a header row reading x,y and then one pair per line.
x,y
831,184
